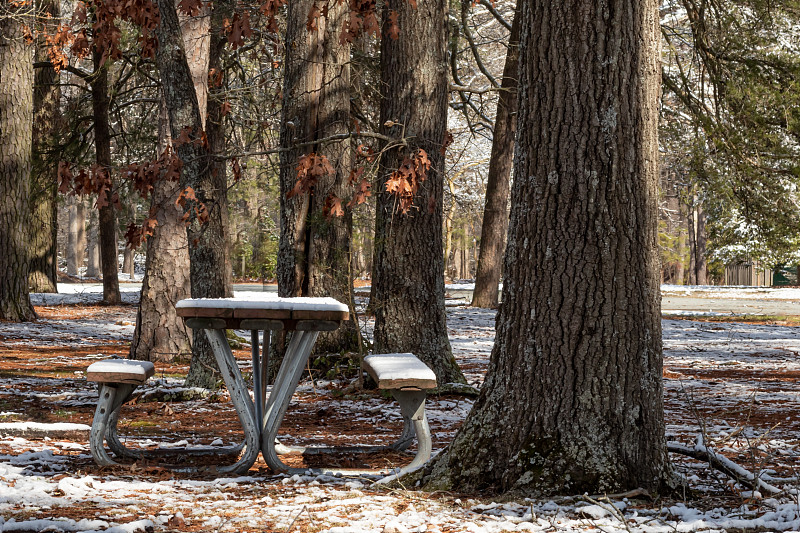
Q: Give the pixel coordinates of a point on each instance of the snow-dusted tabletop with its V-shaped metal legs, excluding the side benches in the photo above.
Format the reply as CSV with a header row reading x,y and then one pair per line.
x,y
305,317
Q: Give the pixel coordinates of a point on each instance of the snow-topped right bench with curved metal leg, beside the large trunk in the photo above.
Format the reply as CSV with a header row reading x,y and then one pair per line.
x,y
408,379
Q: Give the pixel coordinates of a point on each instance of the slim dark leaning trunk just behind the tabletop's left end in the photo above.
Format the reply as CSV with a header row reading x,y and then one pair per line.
x,y
209,267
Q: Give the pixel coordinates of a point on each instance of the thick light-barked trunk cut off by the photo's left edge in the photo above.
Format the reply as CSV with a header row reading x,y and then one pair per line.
x,y
16,142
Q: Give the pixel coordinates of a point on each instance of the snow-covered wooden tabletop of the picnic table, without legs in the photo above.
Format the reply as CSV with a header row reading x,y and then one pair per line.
x,y
266,306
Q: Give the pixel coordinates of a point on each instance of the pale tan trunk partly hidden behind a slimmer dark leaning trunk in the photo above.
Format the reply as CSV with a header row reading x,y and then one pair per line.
x,y
161,334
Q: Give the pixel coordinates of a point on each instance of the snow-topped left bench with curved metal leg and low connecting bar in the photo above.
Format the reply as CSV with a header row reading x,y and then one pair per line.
x,y
117,379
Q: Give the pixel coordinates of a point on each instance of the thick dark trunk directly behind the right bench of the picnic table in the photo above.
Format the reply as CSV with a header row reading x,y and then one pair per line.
x,y
408,279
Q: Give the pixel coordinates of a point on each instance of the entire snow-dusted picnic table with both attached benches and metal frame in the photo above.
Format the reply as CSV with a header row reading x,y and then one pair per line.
x,y
406,377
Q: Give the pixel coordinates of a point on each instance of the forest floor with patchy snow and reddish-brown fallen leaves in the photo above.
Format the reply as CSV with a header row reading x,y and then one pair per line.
x,y
735,380
